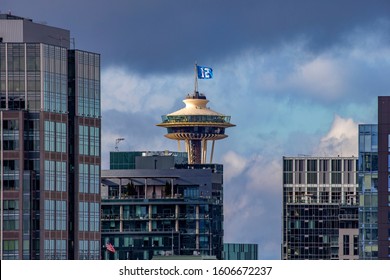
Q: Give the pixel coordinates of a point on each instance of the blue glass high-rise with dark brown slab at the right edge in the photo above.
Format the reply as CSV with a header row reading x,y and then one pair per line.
x,y
374,185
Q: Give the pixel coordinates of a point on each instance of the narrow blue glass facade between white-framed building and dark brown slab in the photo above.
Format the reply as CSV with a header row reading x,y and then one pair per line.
x,y
368,191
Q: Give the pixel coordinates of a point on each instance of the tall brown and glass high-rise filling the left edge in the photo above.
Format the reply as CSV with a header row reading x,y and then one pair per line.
x,y
50,144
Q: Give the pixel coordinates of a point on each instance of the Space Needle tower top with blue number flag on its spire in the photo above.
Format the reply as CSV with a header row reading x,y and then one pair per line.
x,y
196,124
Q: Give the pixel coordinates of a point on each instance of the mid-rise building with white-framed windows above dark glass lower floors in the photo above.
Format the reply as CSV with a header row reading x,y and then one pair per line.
x,y
320,210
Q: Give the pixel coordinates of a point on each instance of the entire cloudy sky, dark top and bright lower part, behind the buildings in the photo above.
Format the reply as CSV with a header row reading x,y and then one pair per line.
x,y
297,77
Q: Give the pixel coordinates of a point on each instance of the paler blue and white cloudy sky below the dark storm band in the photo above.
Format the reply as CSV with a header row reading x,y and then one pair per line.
x,y
284,102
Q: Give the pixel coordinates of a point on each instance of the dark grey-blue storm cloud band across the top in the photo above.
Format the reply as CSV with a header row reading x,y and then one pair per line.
x,y
156,36
